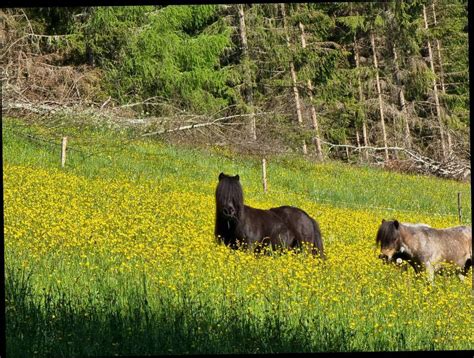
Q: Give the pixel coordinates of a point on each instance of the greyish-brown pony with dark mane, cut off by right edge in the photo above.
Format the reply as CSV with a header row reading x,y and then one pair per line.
x,y
425,247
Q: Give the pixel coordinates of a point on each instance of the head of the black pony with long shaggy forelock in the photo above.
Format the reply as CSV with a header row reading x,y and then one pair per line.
x,y
229,196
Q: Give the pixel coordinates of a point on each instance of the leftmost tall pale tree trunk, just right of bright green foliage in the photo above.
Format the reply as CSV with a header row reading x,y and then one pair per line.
x,y
247,77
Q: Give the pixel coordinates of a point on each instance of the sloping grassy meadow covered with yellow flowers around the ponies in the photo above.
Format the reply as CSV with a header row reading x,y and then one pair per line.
x,y
115,254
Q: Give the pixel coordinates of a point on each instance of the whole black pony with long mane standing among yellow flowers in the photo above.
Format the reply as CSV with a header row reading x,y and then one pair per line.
x,y
241,225
